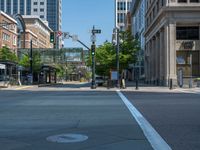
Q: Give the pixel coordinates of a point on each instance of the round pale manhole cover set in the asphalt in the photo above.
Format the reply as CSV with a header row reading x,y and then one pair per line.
x,y
67,138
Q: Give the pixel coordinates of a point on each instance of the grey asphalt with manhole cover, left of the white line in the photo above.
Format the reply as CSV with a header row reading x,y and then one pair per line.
x,y
29,118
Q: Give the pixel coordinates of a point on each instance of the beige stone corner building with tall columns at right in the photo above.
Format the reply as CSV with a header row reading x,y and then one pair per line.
x,y
172,40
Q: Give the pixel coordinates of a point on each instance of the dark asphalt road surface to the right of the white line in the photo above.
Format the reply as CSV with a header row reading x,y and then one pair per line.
x,y
174,116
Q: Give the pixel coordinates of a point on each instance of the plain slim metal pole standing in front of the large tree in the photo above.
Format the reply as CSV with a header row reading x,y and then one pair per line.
x,y
117,57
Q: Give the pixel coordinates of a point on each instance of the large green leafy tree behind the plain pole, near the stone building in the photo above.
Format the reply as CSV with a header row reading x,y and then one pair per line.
x,y
106,54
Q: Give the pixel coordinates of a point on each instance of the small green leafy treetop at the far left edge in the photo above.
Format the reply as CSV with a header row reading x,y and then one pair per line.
x,y
7,54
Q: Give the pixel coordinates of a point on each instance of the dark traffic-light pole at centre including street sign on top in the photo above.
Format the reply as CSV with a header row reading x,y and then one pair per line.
x,y
93,47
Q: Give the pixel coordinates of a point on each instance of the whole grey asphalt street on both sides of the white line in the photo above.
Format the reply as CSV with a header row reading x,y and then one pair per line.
x,y
29,118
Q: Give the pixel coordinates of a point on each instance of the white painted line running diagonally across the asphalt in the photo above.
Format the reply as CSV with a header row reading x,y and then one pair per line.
x,y
156,141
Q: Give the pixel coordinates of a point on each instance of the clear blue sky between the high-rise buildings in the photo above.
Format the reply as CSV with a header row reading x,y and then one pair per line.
x,y
79,16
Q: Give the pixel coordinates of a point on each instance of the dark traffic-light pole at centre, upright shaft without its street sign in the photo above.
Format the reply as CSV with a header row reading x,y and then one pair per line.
x,y
93,86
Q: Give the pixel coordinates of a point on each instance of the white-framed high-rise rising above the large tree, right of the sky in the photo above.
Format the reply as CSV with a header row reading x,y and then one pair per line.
x,y
122,7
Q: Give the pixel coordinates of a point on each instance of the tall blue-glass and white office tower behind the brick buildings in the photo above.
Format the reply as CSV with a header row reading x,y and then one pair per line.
x,y
49,10
